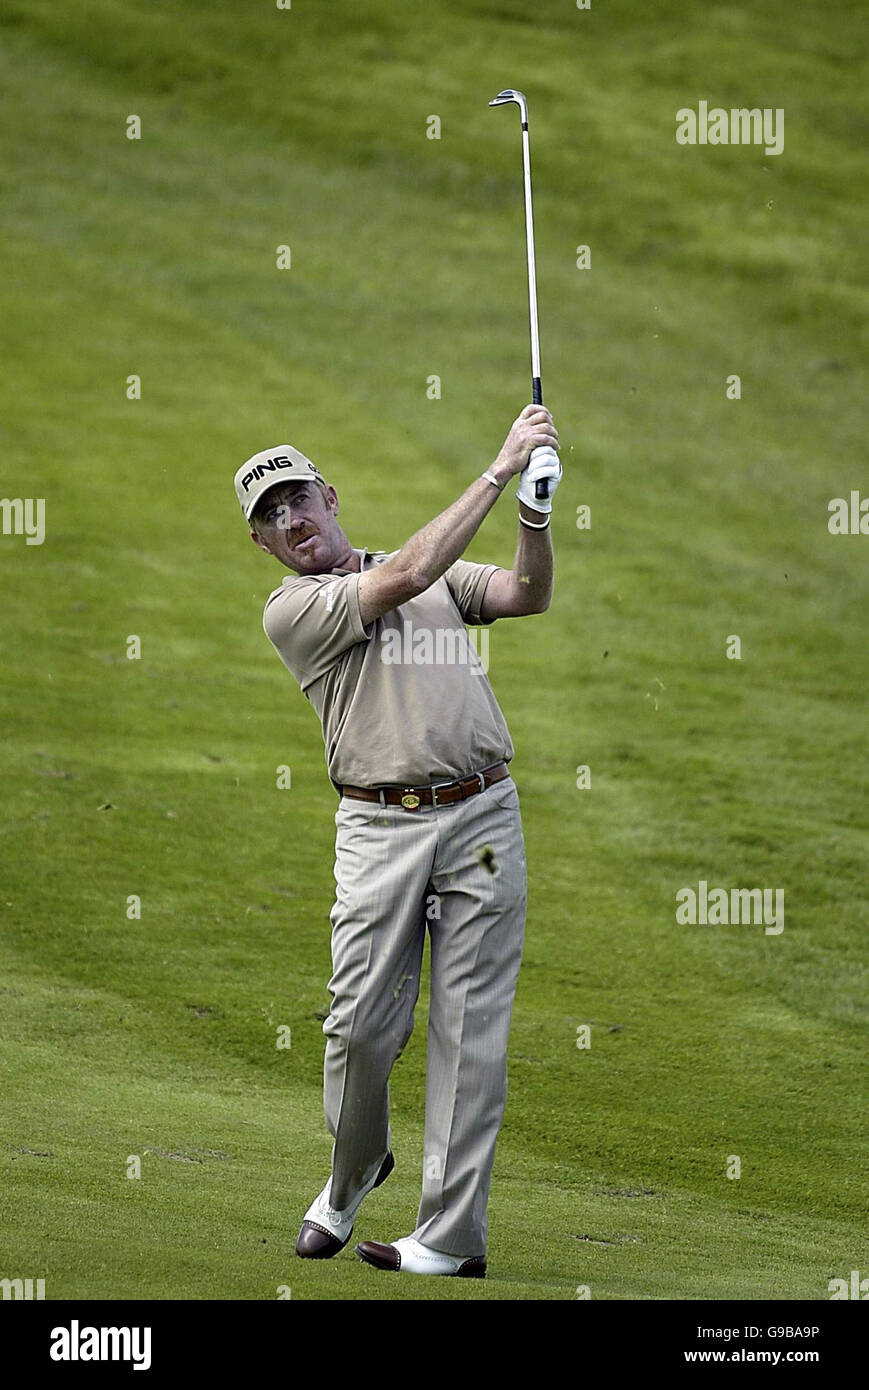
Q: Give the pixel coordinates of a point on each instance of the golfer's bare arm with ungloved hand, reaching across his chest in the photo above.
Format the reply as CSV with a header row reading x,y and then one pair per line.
x,y
430,553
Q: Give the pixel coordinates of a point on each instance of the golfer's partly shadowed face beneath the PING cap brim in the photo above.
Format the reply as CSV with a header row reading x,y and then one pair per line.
x,y
297,523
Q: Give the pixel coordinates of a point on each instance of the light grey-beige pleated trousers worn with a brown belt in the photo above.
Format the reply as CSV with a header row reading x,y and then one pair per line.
x,y
458,871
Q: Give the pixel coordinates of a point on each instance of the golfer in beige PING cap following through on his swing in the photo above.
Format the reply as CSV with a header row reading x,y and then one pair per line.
x,y
429,833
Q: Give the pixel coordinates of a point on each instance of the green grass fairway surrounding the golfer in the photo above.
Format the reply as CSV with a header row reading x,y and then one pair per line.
x,y
686,1114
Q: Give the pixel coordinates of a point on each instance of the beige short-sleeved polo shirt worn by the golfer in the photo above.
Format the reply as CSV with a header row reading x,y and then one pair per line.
x,y
404,701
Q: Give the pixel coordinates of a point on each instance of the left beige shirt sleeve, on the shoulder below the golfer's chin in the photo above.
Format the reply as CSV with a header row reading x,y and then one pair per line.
x,y
312,622
